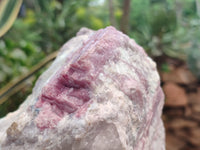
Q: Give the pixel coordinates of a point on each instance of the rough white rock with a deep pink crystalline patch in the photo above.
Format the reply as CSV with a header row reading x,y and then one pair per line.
x,y
101,92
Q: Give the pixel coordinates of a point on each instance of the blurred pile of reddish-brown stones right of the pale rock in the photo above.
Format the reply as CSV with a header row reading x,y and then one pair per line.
x,y
181,112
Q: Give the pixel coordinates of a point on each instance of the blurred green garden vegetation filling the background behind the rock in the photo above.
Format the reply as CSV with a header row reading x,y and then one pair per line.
x,y
169,28
